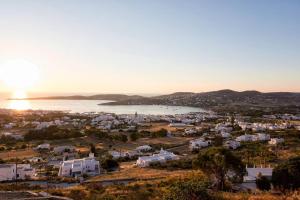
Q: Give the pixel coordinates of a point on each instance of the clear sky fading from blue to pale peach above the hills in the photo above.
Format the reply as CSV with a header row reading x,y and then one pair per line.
x,y
157,46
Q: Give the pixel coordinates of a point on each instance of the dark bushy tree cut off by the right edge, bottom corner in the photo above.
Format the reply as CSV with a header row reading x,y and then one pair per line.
x,y
287,175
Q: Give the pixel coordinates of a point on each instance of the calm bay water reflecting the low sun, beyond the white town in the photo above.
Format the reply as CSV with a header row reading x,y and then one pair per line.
x,y
81,106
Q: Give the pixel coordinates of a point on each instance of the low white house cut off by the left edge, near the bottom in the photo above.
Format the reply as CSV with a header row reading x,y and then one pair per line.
x,y
9,172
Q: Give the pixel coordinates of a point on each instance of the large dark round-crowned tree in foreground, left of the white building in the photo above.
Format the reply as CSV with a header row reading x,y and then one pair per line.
x,y
218,161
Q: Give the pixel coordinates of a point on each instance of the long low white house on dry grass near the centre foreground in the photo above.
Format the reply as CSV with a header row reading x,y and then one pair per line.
x,y
162,157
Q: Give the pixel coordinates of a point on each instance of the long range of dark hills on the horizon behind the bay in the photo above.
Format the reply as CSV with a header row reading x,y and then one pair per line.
x,y
215,100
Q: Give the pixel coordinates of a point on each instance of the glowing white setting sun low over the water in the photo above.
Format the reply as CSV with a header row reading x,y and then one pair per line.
x,y
19,75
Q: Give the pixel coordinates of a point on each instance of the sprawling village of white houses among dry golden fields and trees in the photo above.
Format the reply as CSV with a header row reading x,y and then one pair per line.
x,y
59,150
